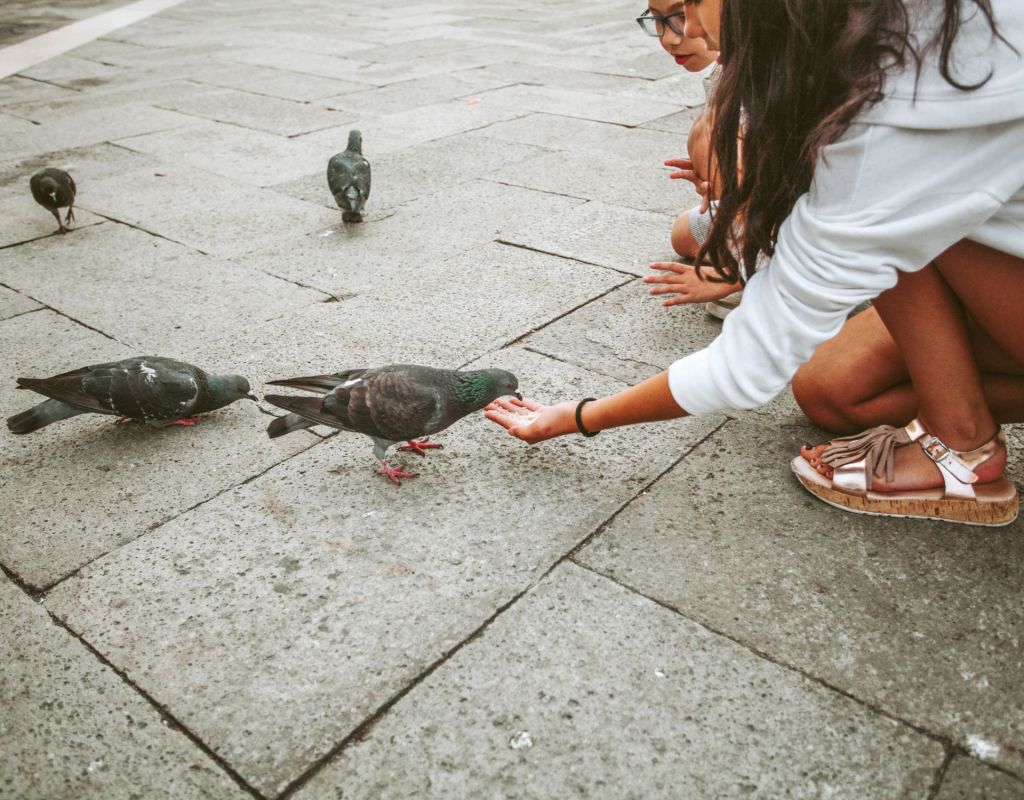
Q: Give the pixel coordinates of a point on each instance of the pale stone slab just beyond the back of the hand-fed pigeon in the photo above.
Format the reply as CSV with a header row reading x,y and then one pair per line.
x,y
442,318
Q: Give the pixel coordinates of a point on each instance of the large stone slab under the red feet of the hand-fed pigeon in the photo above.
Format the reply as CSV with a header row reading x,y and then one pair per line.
x,y
318,592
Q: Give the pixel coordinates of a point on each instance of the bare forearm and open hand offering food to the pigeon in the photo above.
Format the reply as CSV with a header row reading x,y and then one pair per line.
x,y
650,401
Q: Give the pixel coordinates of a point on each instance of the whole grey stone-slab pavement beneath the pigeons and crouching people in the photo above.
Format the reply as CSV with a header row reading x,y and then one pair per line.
x,y
659,612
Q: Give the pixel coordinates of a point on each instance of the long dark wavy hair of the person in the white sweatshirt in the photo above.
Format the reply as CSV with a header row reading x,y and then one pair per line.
x,y
795,74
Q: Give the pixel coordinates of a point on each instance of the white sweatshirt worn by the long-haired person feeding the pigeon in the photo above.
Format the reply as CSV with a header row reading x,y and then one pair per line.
x,y
912,178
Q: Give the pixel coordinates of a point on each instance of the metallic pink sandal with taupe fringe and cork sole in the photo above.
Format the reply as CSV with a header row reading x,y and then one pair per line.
x,y
858,461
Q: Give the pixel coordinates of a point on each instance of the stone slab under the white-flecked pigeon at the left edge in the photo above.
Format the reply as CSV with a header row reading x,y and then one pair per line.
x,y
86,486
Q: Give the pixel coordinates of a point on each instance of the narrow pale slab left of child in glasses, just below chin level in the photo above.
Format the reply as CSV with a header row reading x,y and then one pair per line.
x,y
588,106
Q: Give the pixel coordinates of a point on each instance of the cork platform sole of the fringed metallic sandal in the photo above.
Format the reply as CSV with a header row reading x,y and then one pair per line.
x,y
996,504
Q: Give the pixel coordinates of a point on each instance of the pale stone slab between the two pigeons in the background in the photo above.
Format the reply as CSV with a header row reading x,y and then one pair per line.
x,y
202,210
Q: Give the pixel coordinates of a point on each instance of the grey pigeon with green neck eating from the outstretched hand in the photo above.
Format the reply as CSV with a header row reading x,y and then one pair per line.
x,y
398,403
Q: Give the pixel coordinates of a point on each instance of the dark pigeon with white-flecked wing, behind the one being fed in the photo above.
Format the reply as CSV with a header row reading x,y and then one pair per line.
x,y
159,392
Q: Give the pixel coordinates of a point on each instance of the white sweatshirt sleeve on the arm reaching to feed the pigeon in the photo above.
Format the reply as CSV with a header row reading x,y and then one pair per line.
x,y
884,200
